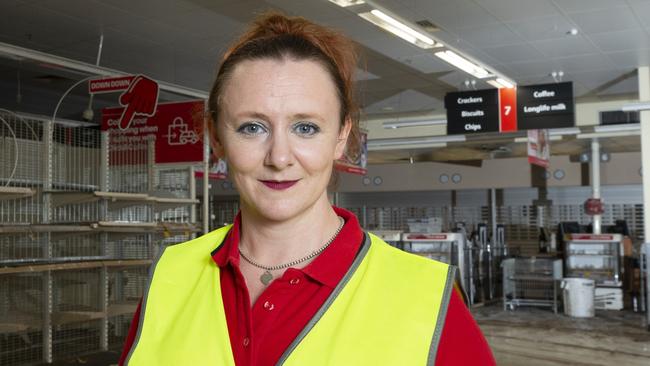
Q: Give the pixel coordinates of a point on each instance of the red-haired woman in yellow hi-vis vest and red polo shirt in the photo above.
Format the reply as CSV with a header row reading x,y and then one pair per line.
x,y
295,281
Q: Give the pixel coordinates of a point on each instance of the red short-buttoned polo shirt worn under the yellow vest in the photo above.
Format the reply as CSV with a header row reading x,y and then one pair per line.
x,y
260,333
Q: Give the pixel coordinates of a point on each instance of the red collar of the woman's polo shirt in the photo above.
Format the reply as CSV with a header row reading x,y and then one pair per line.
x,y
328,268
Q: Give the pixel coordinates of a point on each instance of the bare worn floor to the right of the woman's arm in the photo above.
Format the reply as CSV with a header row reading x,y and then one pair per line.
x,y
537,337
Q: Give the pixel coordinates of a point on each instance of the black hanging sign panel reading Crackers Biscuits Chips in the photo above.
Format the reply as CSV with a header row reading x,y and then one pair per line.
x,y
471,112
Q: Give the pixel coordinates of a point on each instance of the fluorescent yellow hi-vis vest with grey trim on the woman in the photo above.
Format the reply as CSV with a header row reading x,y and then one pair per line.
x,y
389,309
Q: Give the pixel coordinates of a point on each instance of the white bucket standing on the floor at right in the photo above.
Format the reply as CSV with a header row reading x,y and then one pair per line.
x,y
579,297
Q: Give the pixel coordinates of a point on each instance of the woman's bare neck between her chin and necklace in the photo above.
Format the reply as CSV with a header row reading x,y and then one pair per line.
x,y
277,242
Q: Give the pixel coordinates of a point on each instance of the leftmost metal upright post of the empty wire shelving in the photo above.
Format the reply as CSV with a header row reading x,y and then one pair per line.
x,y
48,132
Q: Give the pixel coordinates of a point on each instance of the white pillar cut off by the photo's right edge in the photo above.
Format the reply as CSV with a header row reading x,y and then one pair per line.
x,y
644,95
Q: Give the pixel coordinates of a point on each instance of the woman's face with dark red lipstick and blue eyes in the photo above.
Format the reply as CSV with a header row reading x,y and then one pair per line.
x,y
280,132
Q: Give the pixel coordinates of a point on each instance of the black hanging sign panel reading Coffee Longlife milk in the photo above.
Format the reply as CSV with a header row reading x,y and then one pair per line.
x,y
545,106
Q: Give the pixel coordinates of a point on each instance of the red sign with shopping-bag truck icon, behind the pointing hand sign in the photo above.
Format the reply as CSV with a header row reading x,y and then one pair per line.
x,y
175,128
